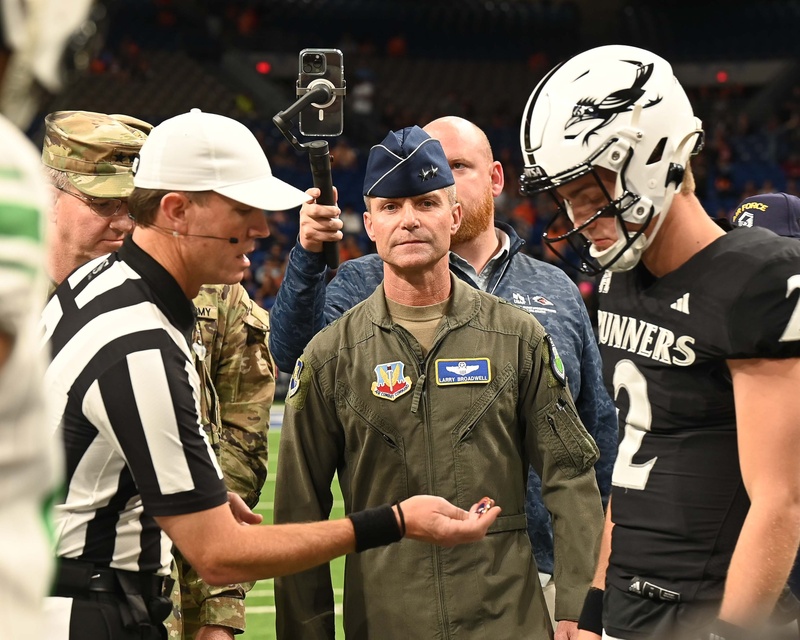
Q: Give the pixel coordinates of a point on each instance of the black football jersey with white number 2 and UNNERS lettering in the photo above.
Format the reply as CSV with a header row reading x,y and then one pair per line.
x,y
678,497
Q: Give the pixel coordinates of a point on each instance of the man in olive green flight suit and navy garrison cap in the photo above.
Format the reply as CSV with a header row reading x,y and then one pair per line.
x,y
431,386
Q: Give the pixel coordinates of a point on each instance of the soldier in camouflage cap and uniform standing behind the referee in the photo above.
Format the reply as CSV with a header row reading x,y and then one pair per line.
x,y
89,158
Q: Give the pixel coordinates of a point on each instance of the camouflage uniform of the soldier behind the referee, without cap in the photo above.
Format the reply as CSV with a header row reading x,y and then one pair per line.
x,y
238,363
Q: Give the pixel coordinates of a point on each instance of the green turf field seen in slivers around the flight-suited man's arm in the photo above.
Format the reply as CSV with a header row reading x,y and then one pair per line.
x,y
261,601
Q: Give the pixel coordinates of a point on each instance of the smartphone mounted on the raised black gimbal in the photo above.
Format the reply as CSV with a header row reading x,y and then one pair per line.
x,y
324,66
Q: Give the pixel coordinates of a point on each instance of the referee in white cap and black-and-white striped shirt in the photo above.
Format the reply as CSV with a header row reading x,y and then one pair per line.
x,y
124,396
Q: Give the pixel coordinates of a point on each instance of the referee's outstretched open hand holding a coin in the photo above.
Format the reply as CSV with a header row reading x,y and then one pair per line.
x,y
433,519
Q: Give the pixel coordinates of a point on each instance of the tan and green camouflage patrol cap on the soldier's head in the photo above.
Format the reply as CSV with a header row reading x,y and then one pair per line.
x,y
94,149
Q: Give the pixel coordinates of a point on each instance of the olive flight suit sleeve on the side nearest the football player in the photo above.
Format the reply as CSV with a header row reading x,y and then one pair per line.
x,y
563,454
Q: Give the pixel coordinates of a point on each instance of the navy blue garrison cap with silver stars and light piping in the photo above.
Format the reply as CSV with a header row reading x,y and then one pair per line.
x,y
407,163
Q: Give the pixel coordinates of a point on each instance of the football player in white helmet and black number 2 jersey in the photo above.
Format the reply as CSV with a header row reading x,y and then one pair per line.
x,y
700,338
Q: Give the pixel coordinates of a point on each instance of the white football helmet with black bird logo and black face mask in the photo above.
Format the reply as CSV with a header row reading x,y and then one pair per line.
x,y
621,108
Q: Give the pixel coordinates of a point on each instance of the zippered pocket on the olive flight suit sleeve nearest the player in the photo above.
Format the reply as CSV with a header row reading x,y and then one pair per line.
x,y
561,431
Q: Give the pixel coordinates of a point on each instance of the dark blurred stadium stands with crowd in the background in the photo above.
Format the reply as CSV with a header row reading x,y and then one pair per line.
x,y
409,61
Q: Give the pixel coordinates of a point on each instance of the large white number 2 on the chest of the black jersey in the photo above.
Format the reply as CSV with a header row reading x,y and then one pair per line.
x,y
637,424
